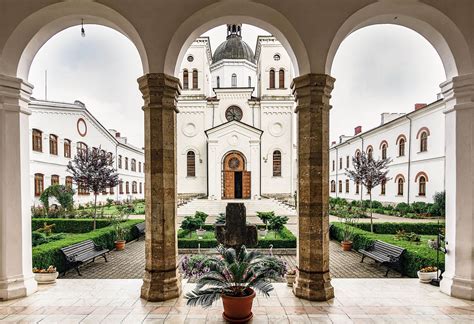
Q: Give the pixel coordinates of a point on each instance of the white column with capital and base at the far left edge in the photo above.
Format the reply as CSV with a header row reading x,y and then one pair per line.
x,y
16,278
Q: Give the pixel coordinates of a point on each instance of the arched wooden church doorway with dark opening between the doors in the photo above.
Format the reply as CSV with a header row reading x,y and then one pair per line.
x,y
235,178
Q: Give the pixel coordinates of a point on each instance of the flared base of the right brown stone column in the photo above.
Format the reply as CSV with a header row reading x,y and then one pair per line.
x,y
313,286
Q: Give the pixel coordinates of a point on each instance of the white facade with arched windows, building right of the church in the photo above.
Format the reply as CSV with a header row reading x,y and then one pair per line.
x,y
413,165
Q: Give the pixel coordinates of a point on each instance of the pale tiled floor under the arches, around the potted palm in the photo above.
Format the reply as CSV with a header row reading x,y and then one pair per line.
x,y
357,301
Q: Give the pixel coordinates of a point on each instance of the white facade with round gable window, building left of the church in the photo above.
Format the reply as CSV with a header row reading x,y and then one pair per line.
x,y
73,123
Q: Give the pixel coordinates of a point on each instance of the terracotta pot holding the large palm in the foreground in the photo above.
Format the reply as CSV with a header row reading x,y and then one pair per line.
x,y
238,309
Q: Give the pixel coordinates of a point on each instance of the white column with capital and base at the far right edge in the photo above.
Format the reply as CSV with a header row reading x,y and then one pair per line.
x,y
458,280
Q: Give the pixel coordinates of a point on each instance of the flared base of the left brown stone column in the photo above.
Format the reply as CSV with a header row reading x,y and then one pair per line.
x,y
161,286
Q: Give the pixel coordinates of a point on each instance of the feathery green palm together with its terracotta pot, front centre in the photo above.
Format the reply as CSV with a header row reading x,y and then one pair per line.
x,y
234,277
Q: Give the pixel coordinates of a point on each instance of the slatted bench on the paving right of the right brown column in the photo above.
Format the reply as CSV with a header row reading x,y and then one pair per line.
x,y
385,253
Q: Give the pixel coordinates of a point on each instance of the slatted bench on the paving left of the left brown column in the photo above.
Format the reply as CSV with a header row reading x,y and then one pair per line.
x,y
82,252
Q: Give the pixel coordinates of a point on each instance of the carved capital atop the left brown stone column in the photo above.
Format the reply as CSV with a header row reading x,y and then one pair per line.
x,y
159,90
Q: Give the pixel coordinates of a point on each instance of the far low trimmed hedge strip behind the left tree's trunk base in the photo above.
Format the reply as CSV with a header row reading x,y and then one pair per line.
x,y
65,225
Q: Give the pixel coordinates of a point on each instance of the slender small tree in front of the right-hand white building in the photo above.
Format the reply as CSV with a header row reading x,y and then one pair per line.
x,y
369,173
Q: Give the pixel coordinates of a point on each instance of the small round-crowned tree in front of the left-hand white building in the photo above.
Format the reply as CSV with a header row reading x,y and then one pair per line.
x,y
93,170
